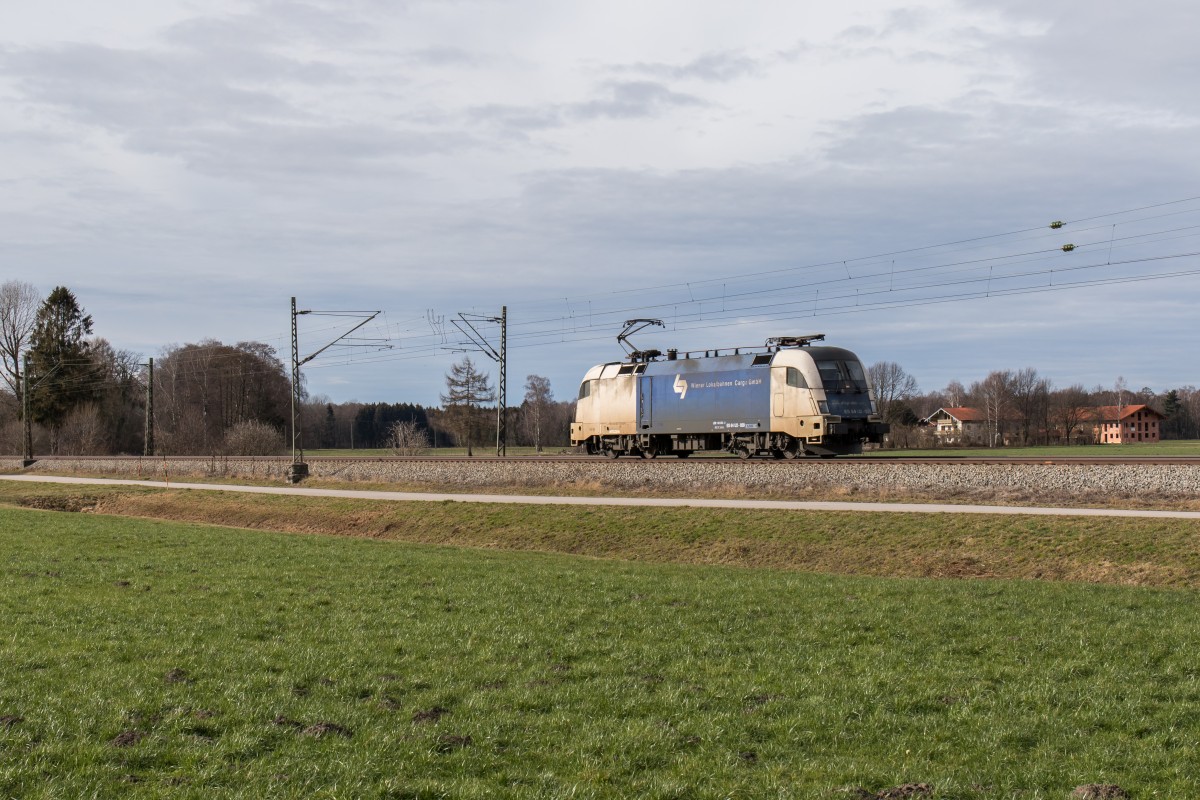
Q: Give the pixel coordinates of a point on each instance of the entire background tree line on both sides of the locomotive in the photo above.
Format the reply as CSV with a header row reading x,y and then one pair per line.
x,y
87,398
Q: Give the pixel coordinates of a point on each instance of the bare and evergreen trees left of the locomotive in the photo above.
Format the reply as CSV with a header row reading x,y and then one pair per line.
x,y
209,398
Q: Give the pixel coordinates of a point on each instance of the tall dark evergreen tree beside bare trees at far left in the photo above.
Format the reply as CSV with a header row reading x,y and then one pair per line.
x,y
63,374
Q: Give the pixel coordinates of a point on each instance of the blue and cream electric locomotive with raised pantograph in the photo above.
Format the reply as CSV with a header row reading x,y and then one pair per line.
x,y
785,400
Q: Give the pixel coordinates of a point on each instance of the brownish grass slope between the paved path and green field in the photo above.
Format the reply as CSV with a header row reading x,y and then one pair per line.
x,y
1135,552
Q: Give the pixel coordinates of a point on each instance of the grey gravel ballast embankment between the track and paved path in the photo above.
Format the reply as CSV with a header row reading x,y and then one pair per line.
x,y
776,479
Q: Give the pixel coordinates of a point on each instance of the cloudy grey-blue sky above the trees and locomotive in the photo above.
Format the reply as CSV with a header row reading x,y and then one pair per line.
x,y
880,173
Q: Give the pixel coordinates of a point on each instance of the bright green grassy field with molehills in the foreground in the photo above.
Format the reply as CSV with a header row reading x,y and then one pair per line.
x,y
147,659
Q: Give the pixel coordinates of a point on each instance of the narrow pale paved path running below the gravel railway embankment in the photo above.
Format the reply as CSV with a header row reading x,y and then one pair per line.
x,y
697,503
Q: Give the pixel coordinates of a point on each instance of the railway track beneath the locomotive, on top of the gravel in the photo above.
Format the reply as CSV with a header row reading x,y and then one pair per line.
x,y
665,461
